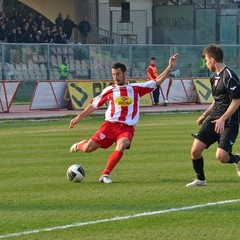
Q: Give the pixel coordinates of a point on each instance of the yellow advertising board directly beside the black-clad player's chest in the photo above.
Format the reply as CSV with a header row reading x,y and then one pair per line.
x,y
203,89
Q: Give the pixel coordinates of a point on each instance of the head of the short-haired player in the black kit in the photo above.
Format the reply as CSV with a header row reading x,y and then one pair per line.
x,y
213,54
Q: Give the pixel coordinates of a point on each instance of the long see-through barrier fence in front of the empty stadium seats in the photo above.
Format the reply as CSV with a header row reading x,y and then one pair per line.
x,y
32,62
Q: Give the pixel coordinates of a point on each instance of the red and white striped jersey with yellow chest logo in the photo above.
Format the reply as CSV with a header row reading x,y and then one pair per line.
x,y
123,101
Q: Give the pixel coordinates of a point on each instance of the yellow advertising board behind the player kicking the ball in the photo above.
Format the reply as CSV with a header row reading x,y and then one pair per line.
x,y
81,92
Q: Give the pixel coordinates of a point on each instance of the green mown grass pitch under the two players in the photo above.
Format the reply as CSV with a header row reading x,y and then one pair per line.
x,y
36,195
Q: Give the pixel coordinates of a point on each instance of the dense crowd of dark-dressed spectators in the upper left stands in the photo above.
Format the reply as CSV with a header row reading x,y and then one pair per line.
x,y
29,29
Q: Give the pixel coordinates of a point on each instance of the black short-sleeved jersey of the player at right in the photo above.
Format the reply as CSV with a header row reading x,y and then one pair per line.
x,y
225,87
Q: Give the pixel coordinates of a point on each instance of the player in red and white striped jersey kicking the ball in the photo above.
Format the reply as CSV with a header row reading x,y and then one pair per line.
x,y
121,115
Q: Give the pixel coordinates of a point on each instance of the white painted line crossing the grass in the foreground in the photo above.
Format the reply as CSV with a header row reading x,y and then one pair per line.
x,y
79,224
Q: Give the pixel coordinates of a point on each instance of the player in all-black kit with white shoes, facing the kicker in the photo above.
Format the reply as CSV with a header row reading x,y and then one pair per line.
x,y
221,119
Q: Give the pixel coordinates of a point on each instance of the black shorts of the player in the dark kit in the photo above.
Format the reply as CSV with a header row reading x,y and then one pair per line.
x,y
225,140
